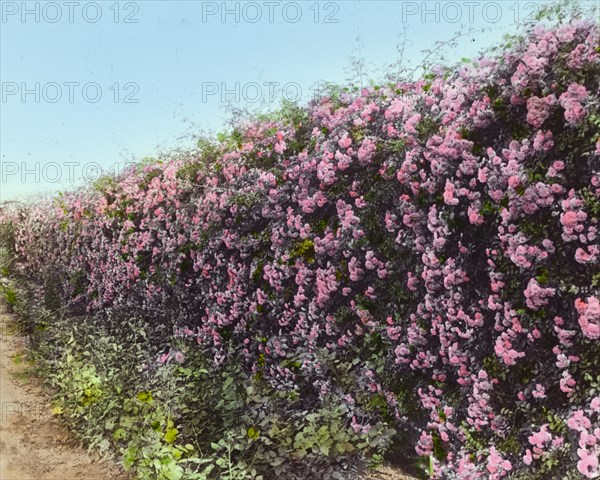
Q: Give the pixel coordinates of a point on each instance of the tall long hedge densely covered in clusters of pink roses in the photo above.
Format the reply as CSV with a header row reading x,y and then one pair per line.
x,y
414,269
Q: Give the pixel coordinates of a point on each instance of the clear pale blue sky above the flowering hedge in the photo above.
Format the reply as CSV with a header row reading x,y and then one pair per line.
x,y
89,86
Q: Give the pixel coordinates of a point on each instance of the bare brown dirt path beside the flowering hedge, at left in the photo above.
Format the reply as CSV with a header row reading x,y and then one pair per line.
x,y
33,444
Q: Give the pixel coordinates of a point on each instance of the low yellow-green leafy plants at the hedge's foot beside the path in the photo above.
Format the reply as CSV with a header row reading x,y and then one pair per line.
x,y
187,421
